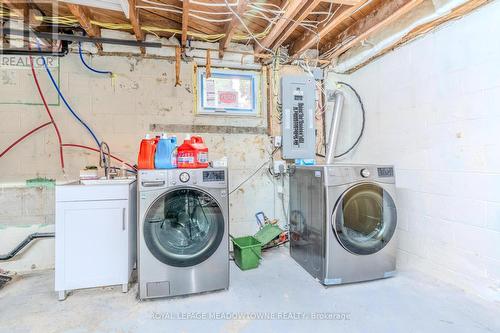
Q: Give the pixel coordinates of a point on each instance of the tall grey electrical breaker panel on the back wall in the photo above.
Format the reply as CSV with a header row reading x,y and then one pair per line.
x,y
297,121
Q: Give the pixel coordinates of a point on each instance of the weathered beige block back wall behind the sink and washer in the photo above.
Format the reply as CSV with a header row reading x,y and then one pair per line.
x,y
121,111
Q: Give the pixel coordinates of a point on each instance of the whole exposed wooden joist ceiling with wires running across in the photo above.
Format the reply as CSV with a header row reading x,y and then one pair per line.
x,y
332,26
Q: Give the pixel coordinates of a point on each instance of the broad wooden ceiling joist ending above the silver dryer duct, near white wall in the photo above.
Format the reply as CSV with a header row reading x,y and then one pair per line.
x,y
386,14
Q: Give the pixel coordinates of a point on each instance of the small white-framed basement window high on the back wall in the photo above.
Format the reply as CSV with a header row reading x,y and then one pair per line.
x,y
228,92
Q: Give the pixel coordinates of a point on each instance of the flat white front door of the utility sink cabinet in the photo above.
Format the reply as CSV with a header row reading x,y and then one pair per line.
x,y
91,243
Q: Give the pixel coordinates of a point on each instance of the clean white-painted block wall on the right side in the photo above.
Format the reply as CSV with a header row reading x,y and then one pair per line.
x,y
433,111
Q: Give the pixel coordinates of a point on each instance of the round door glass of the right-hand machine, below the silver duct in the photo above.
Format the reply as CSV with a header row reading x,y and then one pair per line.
x,y
364,219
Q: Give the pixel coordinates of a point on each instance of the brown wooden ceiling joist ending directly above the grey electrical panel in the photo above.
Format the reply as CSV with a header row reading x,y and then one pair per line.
x,y
309,39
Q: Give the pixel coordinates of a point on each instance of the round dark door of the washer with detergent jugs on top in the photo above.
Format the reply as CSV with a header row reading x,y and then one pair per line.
x,y
183,227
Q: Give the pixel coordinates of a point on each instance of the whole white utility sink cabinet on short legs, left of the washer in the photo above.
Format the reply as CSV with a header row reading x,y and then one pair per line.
x,y
95,235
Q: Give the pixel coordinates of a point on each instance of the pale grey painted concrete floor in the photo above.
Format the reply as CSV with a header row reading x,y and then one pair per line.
x,y
409,302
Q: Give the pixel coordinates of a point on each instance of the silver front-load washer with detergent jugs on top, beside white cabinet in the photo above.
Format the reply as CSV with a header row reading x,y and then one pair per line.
x,y
183,244
